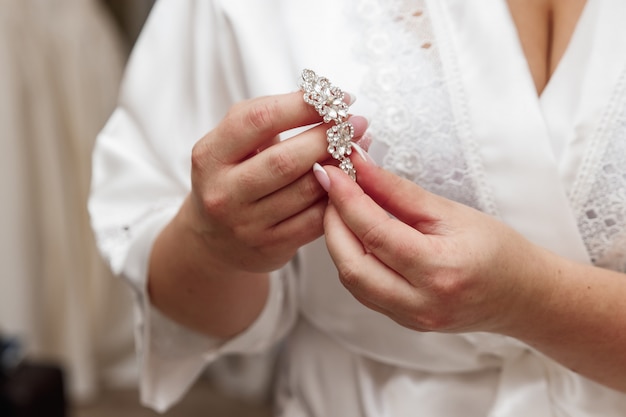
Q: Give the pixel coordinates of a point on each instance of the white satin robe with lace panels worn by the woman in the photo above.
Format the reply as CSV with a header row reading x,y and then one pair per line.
x,y
453,107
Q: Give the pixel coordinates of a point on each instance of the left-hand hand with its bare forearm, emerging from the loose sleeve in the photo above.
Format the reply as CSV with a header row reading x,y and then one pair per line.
x,y
254,202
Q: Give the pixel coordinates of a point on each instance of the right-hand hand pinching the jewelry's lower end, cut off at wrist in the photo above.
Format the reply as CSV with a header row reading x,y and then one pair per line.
x,y
436,265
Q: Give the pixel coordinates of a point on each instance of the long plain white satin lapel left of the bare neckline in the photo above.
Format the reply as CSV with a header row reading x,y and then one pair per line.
x,y
500,109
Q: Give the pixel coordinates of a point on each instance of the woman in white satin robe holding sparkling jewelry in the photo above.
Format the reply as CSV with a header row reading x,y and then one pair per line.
x,y
468,100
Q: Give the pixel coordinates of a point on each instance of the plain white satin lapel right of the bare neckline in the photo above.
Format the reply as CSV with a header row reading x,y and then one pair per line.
x,y
585,83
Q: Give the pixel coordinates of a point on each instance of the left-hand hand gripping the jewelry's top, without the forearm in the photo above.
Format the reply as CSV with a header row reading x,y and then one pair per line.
x,y
254,199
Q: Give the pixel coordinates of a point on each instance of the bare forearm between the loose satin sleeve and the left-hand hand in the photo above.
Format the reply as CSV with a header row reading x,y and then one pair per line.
x,y
189,282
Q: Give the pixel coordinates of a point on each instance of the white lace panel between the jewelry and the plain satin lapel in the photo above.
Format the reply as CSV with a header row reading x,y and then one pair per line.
x,y
415,118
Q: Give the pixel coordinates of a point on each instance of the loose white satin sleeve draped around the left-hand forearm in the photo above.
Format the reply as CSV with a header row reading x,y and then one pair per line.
x,y
182,77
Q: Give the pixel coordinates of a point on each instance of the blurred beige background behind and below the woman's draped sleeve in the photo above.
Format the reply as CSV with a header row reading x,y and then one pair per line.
x,y
61,62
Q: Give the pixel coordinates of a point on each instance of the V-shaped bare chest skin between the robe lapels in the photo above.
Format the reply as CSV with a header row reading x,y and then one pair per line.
x,y
545,28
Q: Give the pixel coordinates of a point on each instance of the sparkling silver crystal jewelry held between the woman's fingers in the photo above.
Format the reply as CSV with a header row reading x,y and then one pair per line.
x,y
327,99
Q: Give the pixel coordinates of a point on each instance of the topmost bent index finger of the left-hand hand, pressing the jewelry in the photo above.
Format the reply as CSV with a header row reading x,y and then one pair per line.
x,y
250,124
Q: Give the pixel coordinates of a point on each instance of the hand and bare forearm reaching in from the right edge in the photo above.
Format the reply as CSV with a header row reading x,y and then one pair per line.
x,y
437,265
